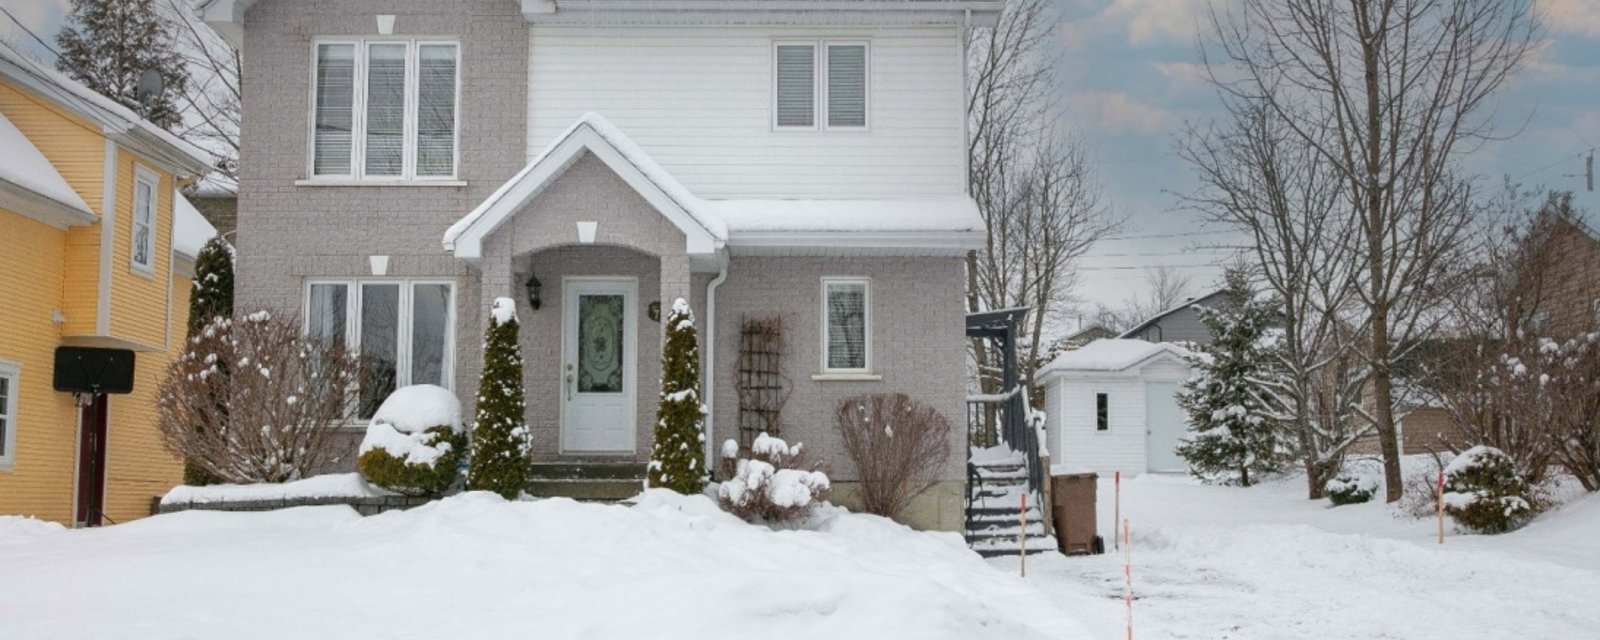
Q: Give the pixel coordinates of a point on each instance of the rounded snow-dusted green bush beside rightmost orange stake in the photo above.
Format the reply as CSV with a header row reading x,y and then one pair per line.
x,y
1486,494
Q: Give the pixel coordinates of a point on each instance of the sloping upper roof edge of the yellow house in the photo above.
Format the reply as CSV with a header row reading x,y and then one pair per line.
x,y
119,122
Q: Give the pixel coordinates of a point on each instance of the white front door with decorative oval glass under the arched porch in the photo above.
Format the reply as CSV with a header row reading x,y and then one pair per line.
x,y
599,366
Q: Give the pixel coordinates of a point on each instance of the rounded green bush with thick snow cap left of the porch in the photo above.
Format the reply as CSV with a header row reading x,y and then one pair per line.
x,y
415,442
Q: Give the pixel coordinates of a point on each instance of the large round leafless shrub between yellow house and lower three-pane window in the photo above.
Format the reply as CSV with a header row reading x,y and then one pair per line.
x,y
254,401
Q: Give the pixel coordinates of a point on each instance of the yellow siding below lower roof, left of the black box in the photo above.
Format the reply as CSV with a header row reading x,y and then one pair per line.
x,y
31,262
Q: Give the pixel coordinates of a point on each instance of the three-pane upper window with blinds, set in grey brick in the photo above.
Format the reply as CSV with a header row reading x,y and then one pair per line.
x,y
385,110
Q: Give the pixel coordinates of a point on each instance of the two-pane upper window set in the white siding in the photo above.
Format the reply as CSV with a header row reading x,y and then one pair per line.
x,y
820,76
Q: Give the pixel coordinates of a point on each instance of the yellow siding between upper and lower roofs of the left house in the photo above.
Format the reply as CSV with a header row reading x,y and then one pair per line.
x,y
78,151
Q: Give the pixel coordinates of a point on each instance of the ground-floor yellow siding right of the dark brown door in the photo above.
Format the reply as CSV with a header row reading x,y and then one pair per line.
x,y
138,466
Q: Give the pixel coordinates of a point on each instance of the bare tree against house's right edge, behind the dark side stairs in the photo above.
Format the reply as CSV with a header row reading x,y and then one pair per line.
x,y
1031,182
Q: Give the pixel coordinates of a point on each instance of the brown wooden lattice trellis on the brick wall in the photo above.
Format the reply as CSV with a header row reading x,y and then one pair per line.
x,y
764,390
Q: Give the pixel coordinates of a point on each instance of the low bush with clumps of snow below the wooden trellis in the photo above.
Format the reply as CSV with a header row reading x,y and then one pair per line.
x,y
767,489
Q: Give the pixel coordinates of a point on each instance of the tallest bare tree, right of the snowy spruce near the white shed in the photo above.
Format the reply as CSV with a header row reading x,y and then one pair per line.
x,y
1390,95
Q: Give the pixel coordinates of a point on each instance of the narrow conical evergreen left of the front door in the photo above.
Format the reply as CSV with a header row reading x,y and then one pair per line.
x,y
500,434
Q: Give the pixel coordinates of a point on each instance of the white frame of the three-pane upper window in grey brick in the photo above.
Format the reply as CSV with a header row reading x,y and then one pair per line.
x,y
359,114
